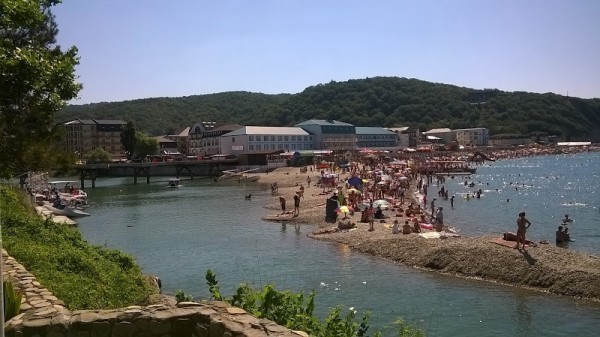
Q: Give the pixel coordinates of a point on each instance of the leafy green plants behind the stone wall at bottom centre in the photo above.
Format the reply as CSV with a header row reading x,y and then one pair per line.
x,y
296,311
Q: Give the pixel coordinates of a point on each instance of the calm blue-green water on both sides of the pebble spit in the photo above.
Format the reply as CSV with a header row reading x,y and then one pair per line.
x,y
180,233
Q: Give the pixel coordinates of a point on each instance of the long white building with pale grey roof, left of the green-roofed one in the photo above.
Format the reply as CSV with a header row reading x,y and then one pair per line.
x,y
266,138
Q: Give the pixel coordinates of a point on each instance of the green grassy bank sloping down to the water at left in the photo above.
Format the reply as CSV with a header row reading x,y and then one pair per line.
x,y
80,274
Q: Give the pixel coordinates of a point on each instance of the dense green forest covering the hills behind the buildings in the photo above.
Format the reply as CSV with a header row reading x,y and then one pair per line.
x,y
379,101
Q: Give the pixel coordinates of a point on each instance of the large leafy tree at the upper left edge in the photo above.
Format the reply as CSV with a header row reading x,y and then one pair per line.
x,y
36,77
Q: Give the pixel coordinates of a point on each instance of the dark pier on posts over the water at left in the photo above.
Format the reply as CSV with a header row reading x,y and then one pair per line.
x,y
191,168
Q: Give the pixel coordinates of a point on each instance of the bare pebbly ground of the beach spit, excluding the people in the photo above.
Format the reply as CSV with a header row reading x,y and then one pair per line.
x,y
544,267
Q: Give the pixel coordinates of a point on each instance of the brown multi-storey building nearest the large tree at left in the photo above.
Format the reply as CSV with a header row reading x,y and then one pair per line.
x,y
85,135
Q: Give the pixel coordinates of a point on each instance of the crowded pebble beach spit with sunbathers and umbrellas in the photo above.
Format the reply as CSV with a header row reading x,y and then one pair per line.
x,y
378,205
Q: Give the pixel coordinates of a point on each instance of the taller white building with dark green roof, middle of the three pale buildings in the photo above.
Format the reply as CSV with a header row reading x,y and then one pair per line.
x,y
330,134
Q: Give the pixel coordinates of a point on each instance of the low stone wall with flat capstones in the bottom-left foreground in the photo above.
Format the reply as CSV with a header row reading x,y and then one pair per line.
x,y
43,315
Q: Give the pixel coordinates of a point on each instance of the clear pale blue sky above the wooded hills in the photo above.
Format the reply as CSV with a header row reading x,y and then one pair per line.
x,y
154,48
